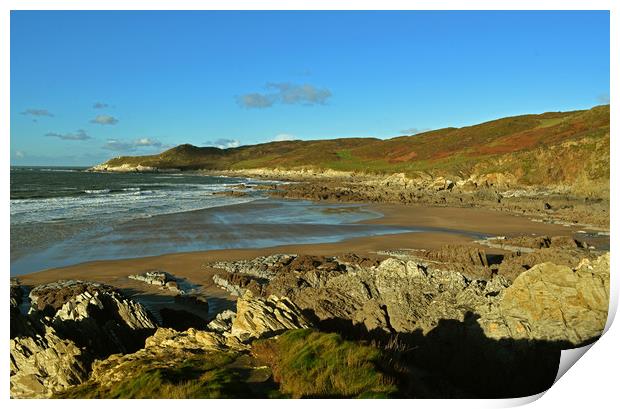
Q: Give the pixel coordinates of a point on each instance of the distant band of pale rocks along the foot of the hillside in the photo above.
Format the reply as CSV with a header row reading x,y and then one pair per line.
x,y
547,203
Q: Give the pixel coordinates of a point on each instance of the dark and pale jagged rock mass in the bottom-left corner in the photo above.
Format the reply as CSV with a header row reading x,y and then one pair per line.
x,y
69,324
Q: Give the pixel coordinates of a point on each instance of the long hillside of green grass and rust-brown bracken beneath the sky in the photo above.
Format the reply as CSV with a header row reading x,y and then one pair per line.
x,y
519,145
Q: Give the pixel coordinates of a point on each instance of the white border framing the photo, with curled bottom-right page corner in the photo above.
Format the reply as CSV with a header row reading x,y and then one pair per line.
x,y
590,383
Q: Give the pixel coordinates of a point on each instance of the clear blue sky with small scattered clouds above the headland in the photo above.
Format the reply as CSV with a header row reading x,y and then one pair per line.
x,y
87,86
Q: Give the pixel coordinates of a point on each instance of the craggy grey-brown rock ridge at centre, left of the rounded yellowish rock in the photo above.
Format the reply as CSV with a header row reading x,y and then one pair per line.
x,y
394,296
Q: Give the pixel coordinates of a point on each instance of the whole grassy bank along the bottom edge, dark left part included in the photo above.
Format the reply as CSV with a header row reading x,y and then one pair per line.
x,y
304,363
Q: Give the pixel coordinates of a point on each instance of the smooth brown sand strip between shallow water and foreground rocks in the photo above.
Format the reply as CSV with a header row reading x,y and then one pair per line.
x,y
194,265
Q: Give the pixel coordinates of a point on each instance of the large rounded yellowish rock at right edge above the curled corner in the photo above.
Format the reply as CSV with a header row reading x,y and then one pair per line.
x,y
551,302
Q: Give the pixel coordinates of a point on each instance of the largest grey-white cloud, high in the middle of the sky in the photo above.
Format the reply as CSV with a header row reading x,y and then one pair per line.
x,y
286,93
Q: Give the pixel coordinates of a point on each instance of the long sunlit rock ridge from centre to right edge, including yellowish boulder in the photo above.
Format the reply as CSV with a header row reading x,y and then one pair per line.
x,y
548,302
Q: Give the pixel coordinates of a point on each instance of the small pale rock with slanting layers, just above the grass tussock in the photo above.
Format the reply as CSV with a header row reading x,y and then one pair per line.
x,y
257,317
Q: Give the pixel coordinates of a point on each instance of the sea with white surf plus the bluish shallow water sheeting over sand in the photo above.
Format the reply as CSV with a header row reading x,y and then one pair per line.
x,y
64,215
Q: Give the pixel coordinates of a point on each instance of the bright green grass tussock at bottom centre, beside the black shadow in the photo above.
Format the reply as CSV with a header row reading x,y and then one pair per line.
x,y
308,363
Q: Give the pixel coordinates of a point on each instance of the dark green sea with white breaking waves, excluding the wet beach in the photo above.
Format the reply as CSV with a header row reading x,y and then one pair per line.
x,y
47,194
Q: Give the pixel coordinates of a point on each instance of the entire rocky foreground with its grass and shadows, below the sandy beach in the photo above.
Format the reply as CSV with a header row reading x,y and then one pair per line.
x,y
453,322
